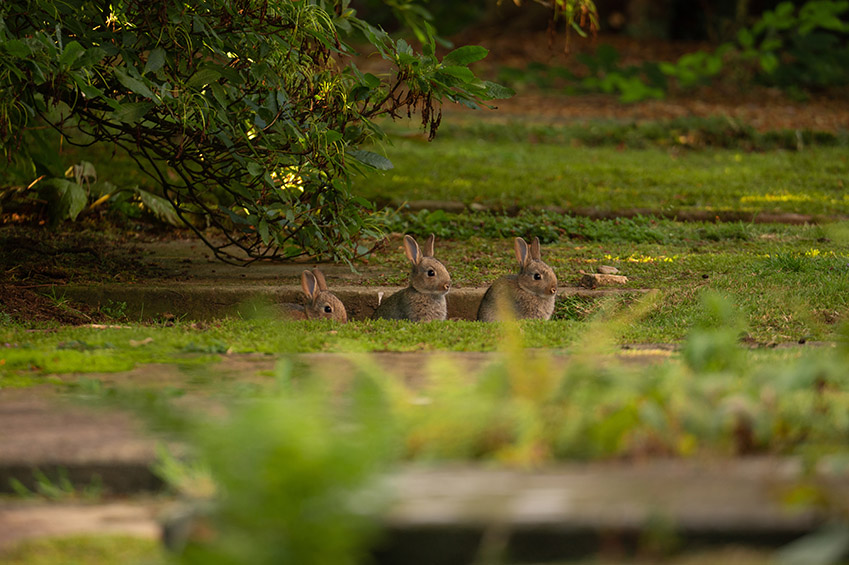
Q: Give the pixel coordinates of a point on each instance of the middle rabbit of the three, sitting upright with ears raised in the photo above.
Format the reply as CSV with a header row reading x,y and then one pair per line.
x,y
424,298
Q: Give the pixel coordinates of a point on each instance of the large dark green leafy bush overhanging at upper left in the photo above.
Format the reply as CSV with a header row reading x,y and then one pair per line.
x,y
250,115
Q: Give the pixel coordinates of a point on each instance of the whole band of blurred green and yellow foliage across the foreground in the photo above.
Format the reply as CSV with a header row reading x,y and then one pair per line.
x,y
292,474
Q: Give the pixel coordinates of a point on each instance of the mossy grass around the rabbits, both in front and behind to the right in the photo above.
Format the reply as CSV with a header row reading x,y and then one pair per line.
x,y
790,282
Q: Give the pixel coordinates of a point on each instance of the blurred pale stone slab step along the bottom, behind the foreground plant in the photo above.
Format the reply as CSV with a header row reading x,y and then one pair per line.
x,y
460,515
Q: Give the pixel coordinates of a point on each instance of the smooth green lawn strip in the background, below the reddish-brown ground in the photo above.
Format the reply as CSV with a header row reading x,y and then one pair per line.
x,y
519,172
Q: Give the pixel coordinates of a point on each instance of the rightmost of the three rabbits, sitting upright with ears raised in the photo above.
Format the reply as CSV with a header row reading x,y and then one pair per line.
x,y
530,294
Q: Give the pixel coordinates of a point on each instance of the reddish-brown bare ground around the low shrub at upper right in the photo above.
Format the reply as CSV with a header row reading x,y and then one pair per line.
x,y
762,107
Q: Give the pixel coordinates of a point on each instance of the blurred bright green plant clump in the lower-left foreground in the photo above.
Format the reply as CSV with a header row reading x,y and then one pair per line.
x,y
294,474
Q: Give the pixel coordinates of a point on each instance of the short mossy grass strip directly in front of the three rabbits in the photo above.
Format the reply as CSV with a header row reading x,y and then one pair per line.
x,y
32,358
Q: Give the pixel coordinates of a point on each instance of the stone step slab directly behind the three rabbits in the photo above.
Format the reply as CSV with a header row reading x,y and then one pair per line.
x,y
192,284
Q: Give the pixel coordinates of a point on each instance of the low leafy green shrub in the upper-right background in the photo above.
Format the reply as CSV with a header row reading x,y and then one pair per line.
x,y
795,49
